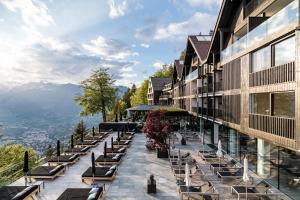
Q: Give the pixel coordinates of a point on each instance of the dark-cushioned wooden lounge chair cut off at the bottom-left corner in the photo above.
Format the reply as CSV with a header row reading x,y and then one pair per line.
x,y
18,192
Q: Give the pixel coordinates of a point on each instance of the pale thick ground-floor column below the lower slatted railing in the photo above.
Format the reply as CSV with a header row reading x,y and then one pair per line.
x,y
263,158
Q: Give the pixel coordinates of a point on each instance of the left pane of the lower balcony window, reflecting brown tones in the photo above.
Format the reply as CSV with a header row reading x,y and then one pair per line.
x,y
260,103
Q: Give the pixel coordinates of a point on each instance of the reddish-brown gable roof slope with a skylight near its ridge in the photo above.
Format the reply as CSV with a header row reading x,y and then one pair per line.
x,y
200,44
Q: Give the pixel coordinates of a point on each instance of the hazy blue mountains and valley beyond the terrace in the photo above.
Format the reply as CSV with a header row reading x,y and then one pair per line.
x,y
37,114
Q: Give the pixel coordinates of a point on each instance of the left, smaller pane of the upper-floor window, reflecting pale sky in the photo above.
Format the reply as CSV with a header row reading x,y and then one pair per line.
x,y
261,59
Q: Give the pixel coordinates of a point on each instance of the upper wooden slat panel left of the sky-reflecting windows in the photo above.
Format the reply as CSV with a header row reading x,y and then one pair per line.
x,y
231,75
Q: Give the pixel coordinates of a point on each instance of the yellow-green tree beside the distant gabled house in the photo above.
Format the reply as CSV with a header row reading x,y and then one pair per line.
x,y
140,95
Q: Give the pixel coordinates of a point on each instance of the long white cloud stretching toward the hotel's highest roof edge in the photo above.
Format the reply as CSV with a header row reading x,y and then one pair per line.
x,y
199,22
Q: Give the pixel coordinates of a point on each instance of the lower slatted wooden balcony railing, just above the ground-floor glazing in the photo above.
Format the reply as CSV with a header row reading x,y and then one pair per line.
x,y
280,126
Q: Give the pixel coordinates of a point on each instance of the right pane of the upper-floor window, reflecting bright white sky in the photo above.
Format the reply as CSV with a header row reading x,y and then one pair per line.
x,y
284,52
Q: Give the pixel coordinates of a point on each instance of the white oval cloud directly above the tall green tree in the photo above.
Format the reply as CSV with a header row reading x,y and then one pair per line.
x,y
108,48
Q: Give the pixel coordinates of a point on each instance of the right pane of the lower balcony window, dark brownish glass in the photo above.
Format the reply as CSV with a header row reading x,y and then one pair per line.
x,y
283,104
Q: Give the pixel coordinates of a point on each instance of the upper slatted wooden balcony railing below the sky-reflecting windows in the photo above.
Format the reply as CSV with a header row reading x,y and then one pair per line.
x,y
273,75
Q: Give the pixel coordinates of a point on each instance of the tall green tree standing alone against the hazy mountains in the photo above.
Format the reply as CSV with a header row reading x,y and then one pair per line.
x,y
99,94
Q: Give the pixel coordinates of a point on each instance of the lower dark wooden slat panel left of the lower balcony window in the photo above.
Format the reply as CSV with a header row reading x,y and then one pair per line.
x,y
232,108
